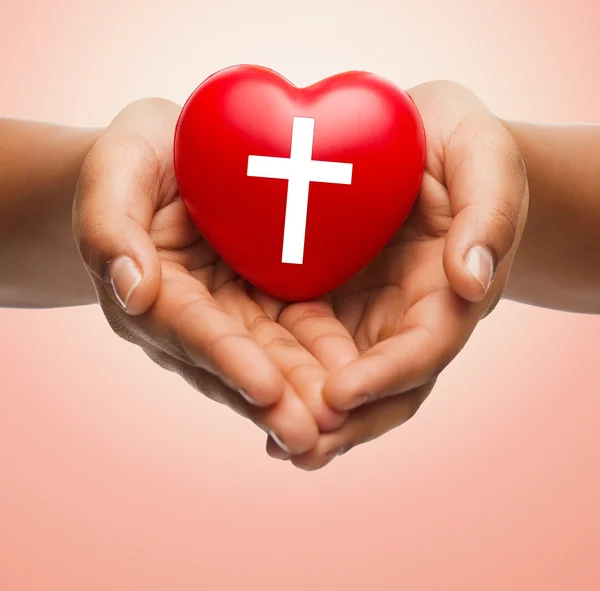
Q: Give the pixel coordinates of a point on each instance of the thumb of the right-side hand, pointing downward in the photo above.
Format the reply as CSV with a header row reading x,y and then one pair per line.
x,y
487,183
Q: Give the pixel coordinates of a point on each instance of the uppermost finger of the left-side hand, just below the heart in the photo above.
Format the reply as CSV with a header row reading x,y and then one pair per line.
x,y
300,369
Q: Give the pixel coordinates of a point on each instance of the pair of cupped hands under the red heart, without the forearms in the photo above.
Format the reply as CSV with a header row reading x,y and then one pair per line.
x,y
320,376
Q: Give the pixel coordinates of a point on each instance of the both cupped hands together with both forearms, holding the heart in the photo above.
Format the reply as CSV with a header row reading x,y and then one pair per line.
x,y
322,376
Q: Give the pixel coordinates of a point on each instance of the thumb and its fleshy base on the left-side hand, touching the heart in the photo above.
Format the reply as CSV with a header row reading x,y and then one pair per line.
x,y
122,182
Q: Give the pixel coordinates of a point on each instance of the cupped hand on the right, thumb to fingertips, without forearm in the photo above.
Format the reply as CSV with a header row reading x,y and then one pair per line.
x,y
412,310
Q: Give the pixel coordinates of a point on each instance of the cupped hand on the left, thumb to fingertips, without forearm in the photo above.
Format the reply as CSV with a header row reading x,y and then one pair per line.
x,y
162,287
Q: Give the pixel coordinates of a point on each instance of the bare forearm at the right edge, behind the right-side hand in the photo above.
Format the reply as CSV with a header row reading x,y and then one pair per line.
x,y
558,261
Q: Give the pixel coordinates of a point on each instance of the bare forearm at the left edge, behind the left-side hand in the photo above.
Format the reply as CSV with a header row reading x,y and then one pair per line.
x,y
39,262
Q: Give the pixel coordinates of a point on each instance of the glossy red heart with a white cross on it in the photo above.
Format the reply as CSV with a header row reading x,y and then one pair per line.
x,y
246,129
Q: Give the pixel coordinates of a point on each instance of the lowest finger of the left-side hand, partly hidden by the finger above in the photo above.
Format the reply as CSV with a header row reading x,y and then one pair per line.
x,y
288,422
